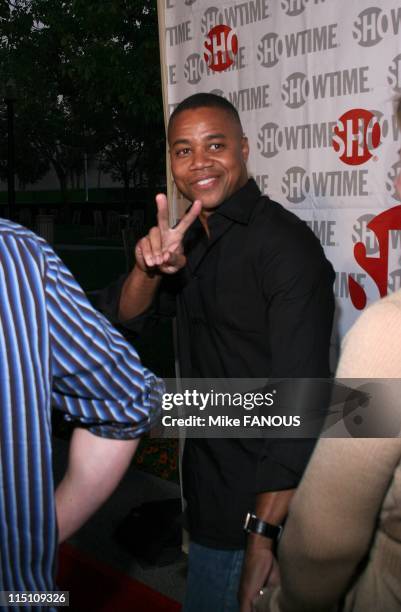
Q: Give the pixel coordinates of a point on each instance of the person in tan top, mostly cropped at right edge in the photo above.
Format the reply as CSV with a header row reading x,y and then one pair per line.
x,y
341,547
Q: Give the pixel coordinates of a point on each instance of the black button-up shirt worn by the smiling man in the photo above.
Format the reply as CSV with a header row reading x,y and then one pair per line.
x,y
255,300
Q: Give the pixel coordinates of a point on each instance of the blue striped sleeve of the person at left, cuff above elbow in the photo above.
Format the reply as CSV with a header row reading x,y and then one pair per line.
x,y
98,378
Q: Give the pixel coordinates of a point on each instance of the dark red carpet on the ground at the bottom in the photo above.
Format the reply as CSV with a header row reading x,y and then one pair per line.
x,y
96,587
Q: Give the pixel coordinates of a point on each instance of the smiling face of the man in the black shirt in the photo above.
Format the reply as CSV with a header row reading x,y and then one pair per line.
x,y
208,155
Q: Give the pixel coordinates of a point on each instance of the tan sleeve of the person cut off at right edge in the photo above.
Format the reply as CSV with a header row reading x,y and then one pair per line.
x,y
334,512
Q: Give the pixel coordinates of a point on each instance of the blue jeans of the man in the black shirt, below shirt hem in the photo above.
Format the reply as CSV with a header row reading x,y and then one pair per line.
x,y
213,579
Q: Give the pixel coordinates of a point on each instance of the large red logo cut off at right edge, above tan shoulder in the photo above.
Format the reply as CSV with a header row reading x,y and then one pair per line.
x,y
383,226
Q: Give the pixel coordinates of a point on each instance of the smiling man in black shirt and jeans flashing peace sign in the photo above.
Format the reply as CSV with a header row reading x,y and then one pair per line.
x,y
252,291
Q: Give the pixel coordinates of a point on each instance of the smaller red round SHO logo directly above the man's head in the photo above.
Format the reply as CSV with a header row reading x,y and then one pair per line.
x,y
221,47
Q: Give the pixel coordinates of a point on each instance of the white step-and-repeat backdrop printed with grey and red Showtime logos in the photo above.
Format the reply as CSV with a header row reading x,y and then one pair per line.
x,y
314,82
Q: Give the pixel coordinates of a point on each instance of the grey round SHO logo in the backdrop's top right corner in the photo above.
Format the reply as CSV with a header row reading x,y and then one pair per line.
x,y
373,24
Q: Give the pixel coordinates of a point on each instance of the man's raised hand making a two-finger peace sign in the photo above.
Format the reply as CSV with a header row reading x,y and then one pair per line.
x,y
162,249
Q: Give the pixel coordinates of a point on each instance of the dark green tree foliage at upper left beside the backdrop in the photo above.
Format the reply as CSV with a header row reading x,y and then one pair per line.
x,y
88,80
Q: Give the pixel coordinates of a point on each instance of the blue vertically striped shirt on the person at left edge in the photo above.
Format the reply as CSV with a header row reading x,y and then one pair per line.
x,y
55,350
